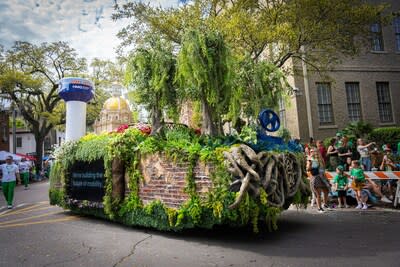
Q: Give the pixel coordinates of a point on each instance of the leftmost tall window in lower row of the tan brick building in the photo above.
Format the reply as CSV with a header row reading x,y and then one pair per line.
x,y
325,111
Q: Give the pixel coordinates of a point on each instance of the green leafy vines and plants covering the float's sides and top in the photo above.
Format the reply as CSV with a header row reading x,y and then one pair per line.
x,y
180,145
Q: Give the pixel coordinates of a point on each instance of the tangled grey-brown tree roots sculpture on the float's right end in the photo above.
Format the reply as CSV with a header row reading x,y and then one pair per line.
x,y
280,175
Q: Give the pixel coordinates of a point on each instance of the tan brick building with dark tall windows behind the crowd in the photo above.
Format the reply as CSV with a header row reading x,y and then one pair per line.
x,y
365,88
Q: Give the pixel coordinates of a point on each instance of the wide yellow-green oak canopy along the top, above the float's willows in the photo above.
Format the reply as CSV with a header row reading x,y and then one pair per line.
x,y
281,27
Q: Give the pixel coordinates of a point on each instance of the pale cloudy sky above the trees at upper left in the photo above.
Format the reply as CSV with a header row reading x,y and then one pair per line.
x,y
85,24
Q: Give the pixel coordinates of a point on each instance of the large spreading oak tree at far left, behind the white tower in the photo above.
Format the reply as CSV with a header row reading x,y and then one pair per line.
x,y
29,76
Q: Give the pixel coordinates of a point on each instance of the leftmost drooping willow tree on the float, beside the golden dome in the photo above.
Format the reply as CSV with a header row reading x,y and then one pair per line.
x,y
151,71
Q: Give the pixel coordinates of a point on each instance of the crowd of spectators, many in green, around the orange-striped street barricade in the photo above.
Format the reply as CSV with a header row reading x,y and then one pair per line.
x,y
349,162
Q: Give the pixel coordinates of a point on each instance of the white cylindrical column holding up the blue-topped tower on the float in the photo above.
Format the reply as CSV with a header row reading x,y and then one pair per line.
x,y
75,120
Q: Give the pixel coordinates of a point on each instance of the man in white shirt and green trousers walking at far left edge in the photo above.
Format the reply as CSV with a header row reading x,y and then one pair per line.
x,y
10,175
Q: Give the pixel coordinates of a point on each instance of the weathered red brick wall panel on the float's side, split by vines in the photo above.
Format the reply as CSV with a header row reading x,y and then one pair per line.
x,y
165,180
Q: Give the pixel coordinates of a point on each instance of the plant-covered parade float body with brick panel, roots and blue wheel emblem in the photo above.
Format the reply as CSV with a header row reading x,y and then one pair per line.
x,y
178,179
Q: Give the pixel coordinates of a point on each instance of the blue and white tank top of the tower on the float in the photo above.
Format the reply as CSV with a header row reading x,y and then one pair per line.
x,y
75,89
